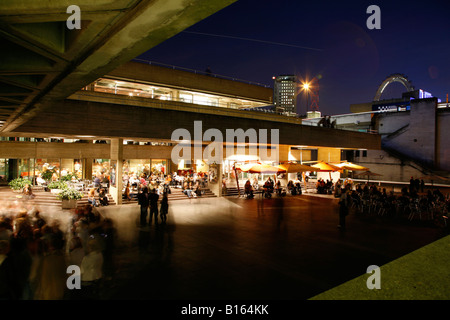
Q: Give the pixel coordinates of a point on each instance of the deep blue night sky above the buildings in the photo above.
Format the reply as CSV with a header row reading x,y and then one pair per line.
x,y
256,40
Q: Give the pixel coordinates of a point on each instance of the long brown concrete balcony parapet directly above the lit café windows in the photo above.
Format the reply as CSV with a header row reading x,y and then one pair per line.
x,y
109,116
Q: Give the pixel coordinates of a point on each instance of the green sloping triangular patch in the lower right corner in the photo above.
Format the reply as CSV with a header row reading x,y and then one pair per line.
x,y
421,275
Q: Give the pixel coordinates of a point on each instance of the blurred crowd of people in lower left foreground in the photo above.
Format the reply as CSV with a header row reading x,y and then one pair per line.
x,y
35,252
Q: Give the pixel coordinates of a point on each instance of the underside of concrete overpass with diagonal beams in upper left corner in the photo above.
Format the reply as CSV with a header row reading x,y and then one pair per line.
x,y
42,60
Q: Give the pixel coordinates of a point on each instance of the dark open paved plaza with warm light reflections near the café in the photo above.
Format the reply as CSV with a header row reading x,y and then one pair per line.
x,y
234,248
